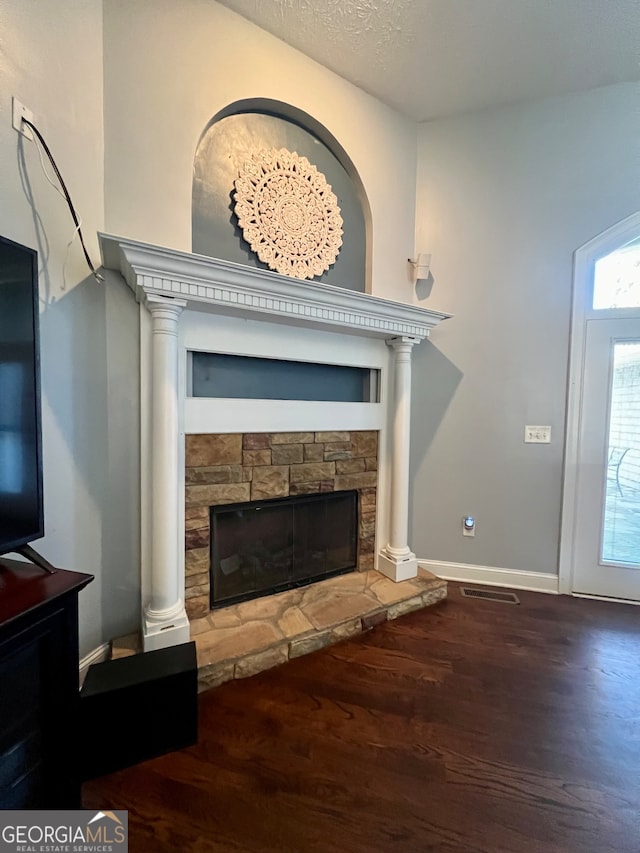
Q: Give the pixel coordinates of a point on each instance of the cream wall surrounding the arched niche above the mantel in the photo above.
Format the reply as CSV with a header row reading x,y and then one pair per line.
x,y
170,67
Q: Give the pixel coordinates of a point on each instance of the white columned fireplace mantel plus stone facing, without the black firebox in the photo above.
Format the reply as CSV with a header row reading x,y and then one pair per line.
x,y
191,304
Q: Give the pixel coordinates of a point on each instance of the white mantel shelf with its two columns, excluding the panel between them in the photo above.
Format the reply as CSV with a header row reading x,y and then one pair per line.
x,y
169,283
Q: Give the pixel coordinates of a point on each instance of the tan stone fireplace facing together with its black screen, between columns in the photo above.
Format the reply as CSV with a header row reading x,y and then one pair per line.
x,y
245,481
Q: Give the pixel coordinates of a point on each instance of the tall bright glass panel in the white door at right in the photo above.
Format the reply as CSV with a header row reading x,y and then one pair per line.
x,y
621,521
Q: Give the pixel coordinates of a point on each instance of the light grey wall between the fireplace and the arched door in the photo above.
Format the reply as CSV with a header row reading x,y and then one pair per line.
x,y
504,199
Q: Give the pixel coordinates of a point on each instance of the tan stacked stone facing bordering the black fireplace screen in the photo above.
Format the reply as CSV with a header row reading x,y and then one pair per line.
x,y
234,468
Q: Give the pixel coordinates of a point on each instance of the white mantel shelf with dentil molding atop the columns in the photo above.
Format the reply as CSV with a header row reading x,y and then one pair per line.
x,y
210,284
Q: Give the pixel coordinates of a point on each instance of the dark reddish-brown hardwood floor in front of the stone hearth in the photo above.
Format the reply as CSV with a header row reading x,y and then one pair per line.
x,y
469,727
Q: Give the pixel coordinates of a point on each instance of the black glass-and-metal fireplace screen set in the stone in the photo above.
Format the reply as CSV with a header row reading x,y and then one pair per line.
x,y
269,546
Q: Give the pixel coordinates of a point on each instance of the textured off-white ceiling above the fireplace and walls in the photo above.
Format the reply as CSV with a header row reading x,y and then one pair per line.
x,y
431,58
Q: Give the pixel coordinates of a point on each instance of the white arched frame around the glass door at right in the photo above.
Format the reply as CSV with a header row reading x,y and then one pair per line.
x,y
583,267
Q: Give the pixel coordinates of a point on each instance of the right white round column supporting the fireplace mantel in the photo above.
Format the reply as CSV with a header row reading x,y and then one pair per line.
x,y
396,560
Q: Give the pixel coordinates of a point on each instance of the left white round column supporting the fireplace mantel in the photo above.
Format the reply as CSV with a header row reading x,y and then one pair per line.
x,y
165,621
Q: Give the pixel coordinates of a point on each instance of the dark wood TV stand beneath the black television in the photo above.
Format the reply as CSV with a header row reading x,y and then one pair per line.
x,y
39,698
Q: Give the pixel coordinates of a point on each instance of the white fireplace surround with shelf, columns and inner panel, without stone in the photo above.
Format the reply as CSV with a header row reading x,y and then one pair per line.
x,y
185,302
